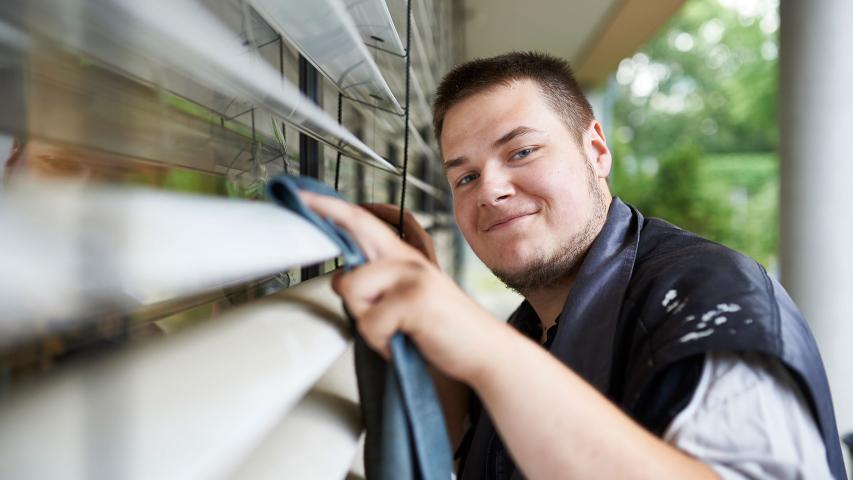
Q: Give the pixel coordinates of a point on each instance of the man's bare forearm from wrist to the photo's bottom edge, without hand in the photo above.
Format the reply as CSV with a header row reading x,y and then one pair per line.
x,y
557,426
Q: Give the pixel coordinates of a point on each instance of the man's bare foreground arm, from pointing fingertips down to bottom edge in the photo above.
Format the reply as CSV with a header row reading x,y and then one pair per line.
x,y
554,423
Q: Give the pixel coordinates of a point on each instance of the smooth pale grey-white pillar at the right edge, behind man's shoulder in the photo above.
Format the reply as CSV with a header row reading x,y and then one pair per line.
x,y
816,121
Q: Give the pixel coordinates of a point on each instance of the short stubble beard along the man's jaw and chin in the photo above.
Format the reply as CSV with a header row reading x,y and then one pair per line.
x,y
549,268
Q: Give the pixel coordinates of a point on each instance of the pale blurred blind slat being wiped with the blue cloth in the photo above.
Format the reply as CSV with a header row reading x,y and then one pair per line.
x,y
138,246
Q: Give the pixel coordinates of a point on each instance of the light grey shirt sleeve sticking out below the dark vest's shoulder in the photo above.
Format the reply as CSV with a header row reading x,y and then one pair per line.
x,y
748,419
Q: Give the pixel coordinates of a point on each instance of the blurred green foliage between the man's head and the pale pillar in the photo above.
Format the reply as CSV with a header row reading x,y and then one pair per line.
x,y
695,130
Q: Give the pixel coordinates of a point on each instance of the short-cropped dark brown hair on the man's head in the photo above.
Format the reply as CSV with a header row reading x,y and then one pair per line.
x,y
554,76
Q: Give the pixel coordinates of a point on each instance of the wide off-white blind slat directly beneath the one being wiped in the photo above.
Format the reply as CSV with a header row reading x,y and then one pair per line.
x,y
188,406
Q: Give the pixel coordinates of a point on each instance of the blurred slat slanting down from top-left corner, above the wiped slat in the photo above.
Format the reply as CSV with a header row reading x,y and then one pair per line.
x,y
189,39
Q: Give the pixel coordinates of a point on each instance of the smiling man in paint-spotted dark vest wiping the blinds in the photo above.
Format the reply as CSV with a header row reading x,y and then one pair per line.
x,y
667,356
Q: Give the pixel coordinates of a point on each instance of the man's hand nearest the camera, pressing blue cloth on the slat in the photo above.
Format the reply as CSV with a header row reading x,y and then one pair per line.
x,y
401,290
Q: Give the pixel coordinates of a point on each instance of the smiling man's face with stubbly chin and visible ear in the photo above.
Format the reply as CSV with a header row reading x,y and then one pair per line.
x,y
528,199
